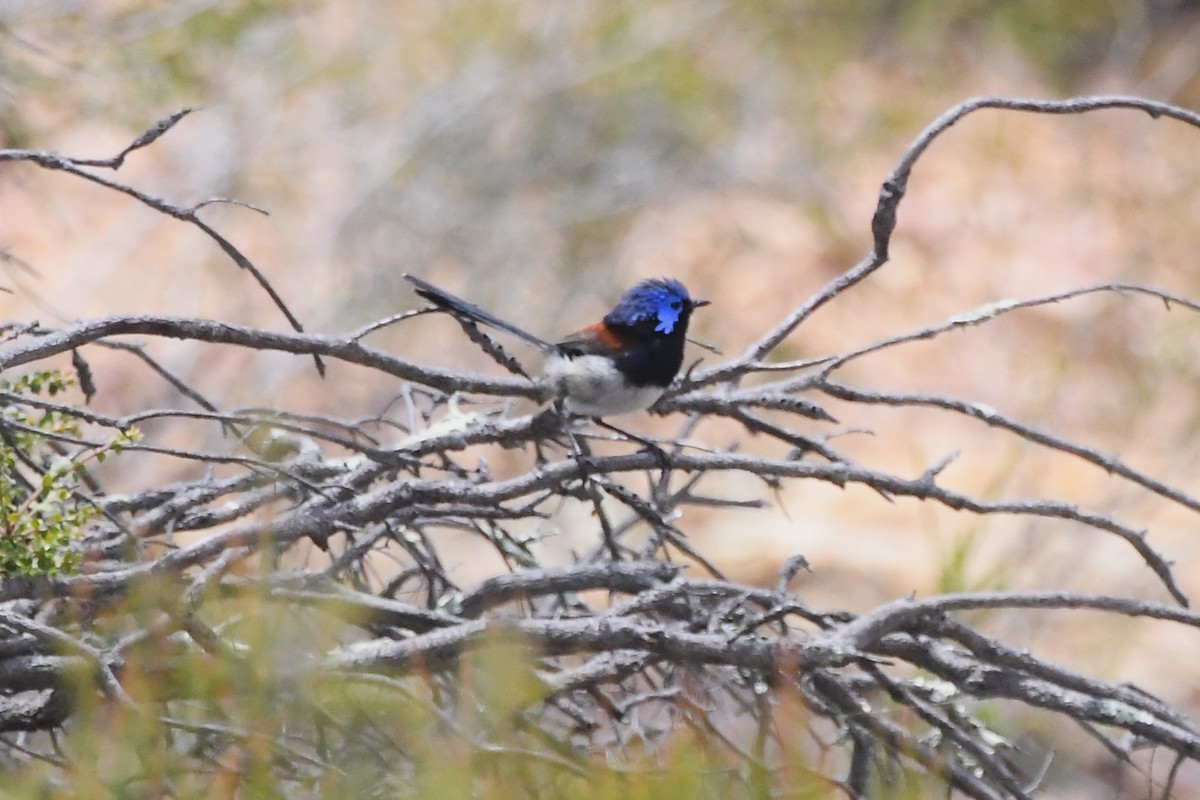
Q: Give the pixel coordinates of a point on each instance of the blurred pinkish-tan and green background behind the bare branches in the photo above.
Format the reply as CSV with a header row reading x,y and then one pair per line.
x,y
541,157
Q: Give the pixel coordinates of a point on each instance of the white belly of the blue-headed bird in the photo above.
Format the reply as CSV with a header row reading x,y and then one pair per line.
x,y
592,387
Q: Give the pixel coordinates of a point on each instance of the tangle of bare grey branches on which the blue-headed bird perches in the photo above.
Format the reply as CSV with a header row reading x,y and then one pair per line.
x,y
622,639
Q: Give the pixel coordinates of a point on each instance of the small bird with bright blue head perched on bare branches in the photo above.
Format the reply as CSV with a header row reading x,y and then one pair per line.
x,y
622,364
